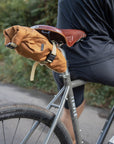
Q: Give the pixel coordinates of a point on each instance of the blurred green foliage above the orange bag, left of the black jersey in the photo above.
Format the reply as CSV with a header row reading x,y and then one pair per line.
x,y
27,12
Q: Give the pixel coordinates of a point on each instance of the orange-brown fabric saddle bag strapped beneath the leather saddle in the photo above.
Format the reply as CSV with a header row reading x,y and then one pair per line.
x,y
32,44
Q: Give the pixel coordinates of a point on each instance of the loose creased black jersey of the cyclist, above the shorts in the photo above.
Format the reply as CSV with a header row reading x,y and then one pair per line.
x,y
96,18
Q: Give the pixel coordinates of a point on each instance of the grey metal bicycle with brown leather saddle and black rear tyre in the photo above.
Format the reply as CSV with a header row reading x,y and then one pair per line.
x,y
40,118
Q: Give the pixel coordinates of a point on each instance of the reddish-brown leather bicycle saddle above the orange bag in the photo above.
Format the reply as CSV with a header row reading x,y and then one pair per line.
x,y
61,36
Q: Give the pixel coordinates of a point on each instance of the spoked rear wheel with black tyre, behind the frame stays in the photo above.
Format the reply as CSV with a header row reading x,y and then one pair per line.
x,y
16,120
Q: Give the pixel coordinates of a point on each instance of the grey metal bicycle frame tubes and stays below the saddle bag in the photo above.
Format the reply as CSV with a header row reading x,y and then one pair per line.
x,y
67,94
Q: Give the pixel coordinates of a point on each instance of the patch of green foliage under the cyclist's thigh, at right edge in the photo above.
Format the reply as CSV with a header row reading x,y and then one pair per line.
x,y
100,95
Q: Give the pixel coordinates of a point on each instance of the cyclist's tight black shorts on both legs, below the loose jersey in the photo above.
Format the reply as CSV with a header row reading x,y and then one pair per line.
x,y
98,73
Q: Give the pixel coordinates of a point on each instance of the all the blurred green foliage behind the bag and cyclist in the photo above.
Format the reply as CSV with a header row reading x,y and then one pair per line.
x,y
16,69
